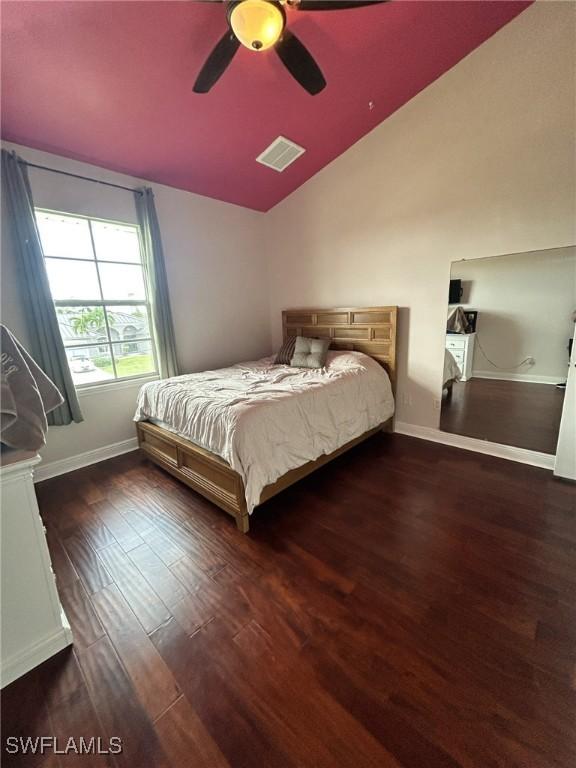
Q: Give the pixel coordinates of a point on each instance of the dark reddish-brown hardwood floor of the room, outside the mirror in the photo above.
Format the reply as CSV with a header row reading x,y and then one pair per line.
x,y
408,605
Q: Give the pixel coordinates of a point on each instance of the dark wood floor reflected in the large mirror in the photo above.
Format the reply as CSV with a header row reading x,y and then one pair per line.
x,y
508,412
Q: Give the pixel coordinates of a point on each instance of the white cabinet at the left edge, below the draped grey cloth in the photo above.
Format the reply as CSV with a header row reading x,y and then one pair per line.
x,y
34,626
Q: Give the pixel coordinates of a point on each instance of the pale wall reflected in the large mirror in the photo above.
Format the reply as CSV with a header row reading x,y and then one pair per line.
x,y
525,303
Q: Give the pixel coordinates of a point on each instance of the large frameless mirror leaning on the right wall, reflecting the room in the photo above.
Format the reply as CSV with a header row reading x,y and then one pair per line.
x,y
509,331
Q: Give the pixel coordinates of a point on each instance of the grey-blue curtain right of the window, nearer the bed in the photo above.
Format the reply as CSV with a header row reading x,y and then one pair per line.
x,y
157,282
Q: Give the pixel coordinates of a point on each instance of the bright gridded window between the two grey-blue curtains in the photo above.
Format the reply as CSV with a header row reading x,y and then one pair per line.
x,y
98,285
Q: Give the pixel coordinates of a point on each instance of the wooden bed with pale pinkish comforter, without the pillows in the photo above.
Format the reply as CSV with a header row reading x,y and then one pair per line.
x,y
242,434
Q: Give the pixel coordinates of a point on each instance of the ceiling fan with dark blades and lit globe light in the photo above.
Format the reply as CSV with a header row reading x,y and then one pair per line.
x,y
261,24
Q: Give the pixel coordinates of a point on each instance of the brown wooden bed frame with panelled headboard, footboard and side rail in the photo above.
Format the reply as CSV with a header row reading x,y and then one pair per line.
x,y
371,330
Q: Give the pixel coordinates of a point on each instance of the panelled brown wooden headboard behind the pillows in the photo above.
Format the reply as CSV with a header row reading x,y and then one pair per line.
x,y
371,330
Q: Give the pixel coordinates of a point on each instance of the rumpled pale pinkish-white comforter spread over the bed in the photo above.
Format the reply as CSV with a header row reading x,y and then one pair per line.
x,y
265,419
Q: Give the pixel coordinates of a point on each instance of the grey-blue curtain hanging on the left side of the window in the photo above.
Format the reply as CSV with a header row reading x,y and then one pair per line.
x,y
47,347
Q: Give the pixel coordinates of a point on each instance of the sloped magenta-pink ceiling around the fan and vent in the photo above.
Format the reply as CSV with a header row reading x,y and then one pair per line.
x,y
110,83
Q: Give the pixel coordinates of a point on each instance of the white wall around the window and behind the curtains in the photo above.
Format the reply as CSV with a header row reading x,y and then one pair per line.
x,y
218,282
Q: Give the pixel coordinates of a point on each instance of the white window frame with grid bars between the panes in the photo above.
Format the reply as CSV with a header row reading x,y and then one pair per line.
x,y
116,382
